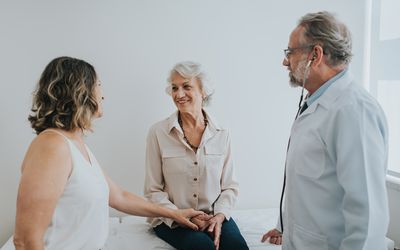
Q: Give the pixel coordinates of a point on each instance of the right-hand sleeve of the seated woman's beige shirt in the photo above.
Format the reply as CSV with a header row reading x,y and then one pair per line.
x,y
229,186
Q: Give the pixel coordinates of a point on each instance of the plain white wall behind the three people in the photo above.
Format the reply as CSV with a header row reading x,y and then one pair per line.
x,y
133,44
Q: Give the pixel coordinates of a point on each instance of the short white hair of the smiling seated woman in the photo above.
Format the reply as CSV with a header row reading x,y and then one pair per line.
x,y
189,69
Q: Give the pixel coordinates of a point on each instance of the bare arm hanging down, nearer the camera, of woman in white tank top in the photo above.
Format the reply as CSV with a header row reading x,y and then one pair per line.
x,y
45,171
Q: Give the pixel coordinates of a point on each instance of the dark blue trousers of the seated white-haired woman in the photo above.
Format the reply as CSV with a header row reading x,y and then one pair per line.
x,y
187,239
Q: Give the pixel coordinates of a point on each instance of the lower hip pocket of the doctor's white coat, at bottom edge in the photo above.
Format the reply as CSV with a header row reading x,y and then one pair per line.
x,y
304,239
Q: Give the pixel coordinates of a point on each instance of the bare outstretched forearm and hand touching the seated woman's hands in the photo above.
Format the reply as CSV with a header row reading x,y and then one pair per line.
x,y
132,204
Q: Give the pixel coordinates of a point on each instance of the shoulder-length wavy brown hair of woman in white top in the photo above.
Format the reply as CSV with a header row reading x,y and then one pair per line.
x,y
65,96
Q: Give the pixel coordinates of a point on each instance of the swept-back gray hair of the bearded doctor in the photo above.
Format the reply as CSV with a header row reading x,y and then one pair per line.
x,y
324,29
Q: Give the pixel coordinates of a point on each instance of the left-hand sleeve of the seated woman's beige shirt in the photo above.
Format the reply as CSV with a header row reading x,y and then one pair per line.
x,y
154,180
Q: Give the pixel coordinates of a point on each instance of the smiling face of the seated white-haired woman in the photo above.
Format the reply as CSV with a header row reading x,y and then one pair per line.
x,y
186,93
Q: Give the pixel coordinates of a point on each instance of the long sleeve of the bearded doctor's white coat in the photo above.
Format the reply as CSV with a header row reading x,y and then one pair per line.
x,y
361,151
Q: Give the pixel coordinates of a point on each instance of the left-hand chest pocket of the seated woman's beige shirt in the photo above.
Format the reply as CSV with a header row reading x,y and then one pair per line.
x,y
174,160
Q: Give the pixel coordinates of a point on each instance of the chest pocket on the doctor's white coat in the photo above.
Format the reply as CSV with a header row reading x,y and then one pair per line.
x,y
309,159
